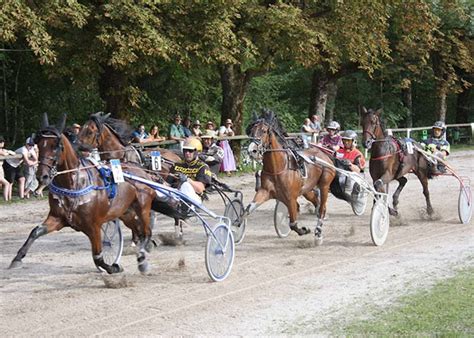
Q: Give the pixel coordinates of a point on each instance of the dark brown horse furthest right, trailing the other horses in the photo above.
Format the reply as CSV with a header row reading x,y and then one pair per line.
x,y
389,161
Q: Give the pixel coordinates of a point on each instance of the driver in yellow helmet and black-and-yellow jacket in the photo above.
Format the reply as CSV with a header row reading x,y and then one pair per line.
x,y
191,175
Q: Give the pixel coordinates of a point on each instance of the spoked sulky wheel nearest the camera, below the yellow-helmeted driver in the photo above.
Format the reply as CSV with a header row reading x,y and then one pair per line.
x,y
220,251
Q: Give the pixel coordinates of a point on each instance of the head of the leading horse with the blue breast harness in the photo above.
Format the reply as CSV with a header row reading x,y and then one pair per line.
x,y
50,143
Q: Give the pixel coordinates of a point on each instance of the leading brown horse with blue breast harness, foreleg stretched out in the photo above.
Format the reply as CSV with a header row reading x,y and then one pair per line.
x,y
82,197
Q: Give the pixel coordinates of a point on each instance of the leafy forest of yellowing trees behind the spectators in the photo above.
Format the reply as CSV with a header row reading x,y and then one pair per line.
x,y
144,61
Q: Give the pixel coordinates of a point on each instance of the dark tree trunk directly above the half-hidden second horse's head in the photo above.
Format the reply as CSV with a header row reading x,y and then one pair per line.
x,y
112,89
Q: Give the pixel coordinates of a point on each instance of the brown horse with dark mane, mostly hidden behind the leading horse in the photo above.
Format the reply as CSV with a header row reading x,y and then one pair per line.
x,y
111,137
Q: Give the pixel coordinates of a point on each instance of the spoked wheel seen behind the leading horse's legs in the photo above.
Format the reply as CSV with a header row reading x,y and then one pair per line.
x,y
112,242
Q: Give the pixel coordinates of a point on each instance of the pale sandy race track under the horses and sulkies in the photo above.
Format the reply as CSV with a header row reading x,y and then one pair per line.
x,y
277,286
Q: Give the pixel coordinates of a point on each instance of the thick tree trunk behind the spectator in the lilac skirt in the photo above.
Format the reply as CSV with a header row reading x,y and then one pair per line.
x,y
234,86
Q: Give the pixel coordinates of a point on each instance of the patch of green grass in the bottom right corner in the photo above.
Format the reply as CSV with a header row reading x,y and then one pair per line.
x,y
445,310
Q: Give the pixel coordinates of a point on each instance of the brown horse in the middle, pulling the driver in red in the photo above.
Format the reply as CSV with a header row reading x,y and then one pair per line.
x,y
281,178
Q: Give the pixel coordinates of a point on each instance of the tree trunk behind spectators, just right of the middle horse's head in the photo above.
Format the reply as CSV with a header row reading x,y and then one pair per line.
x,y
319,94
